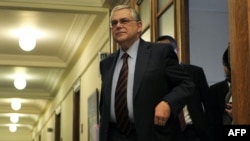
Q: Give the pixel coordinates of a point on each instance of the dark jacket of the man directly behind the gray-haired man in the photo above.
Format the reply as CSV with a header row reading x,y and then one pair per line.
x,y
198,100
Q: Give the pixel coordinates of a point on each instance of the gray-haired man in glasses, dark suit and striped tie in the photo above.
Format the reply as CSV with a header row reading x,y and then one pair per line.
x,y
157,86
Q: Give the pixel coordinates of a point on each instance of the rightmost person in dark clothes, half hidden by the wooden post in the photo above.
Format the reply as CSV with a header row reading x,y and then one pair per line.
x,y
221,113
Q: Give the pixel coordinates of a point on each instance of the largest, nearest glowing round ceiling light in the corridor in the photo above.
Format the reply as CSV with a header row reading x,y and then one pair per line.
x,y
27,42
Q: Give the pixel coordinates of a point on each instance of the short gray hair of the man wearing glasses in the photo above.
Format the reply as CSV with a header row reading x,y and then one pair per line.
x,y
135,15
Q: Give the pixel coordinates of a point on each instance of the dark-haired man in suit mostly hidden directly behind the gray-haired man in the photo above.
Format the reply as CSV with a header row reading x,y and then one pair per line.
x,y
197,124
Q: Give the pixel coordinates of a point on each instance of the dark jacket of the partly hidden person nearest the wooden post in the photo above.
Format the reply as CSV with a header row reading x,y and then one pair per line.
x,y
218,93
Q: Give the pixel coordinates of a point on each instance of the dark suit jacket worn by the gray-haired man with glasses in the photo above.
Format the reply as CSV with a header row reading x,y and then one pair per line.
x,y
158,76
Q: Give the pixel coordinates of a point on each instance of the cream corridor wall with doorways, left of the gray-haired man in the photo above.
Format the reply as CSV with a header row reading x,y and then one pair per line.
x,y
85,69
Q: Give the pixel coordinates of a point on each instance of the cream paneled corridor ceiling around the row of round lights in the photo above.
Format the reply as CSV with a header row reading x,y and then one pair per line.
x,y
59,27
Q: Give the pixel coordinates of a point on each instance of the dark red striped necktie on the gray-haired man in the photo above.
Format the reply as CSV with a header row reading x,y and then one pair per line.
x,y
121,109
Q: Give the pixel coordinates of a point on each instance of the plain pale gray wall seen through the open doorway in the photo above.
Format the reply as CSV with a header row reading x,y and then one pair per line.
x,y
209,36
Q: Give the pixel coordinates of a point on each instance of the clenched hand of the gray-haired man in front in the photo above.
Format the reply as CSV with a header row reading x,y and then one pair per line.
x,y
162,113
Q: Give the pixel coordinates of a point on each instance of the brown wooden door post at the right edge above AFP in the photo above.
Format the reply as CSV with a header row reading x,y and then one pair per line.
x,y
239,23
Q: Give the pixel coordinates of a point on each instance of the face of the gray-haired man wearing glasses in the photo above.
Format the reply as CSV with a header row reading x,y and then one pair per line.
x,y
124,28
